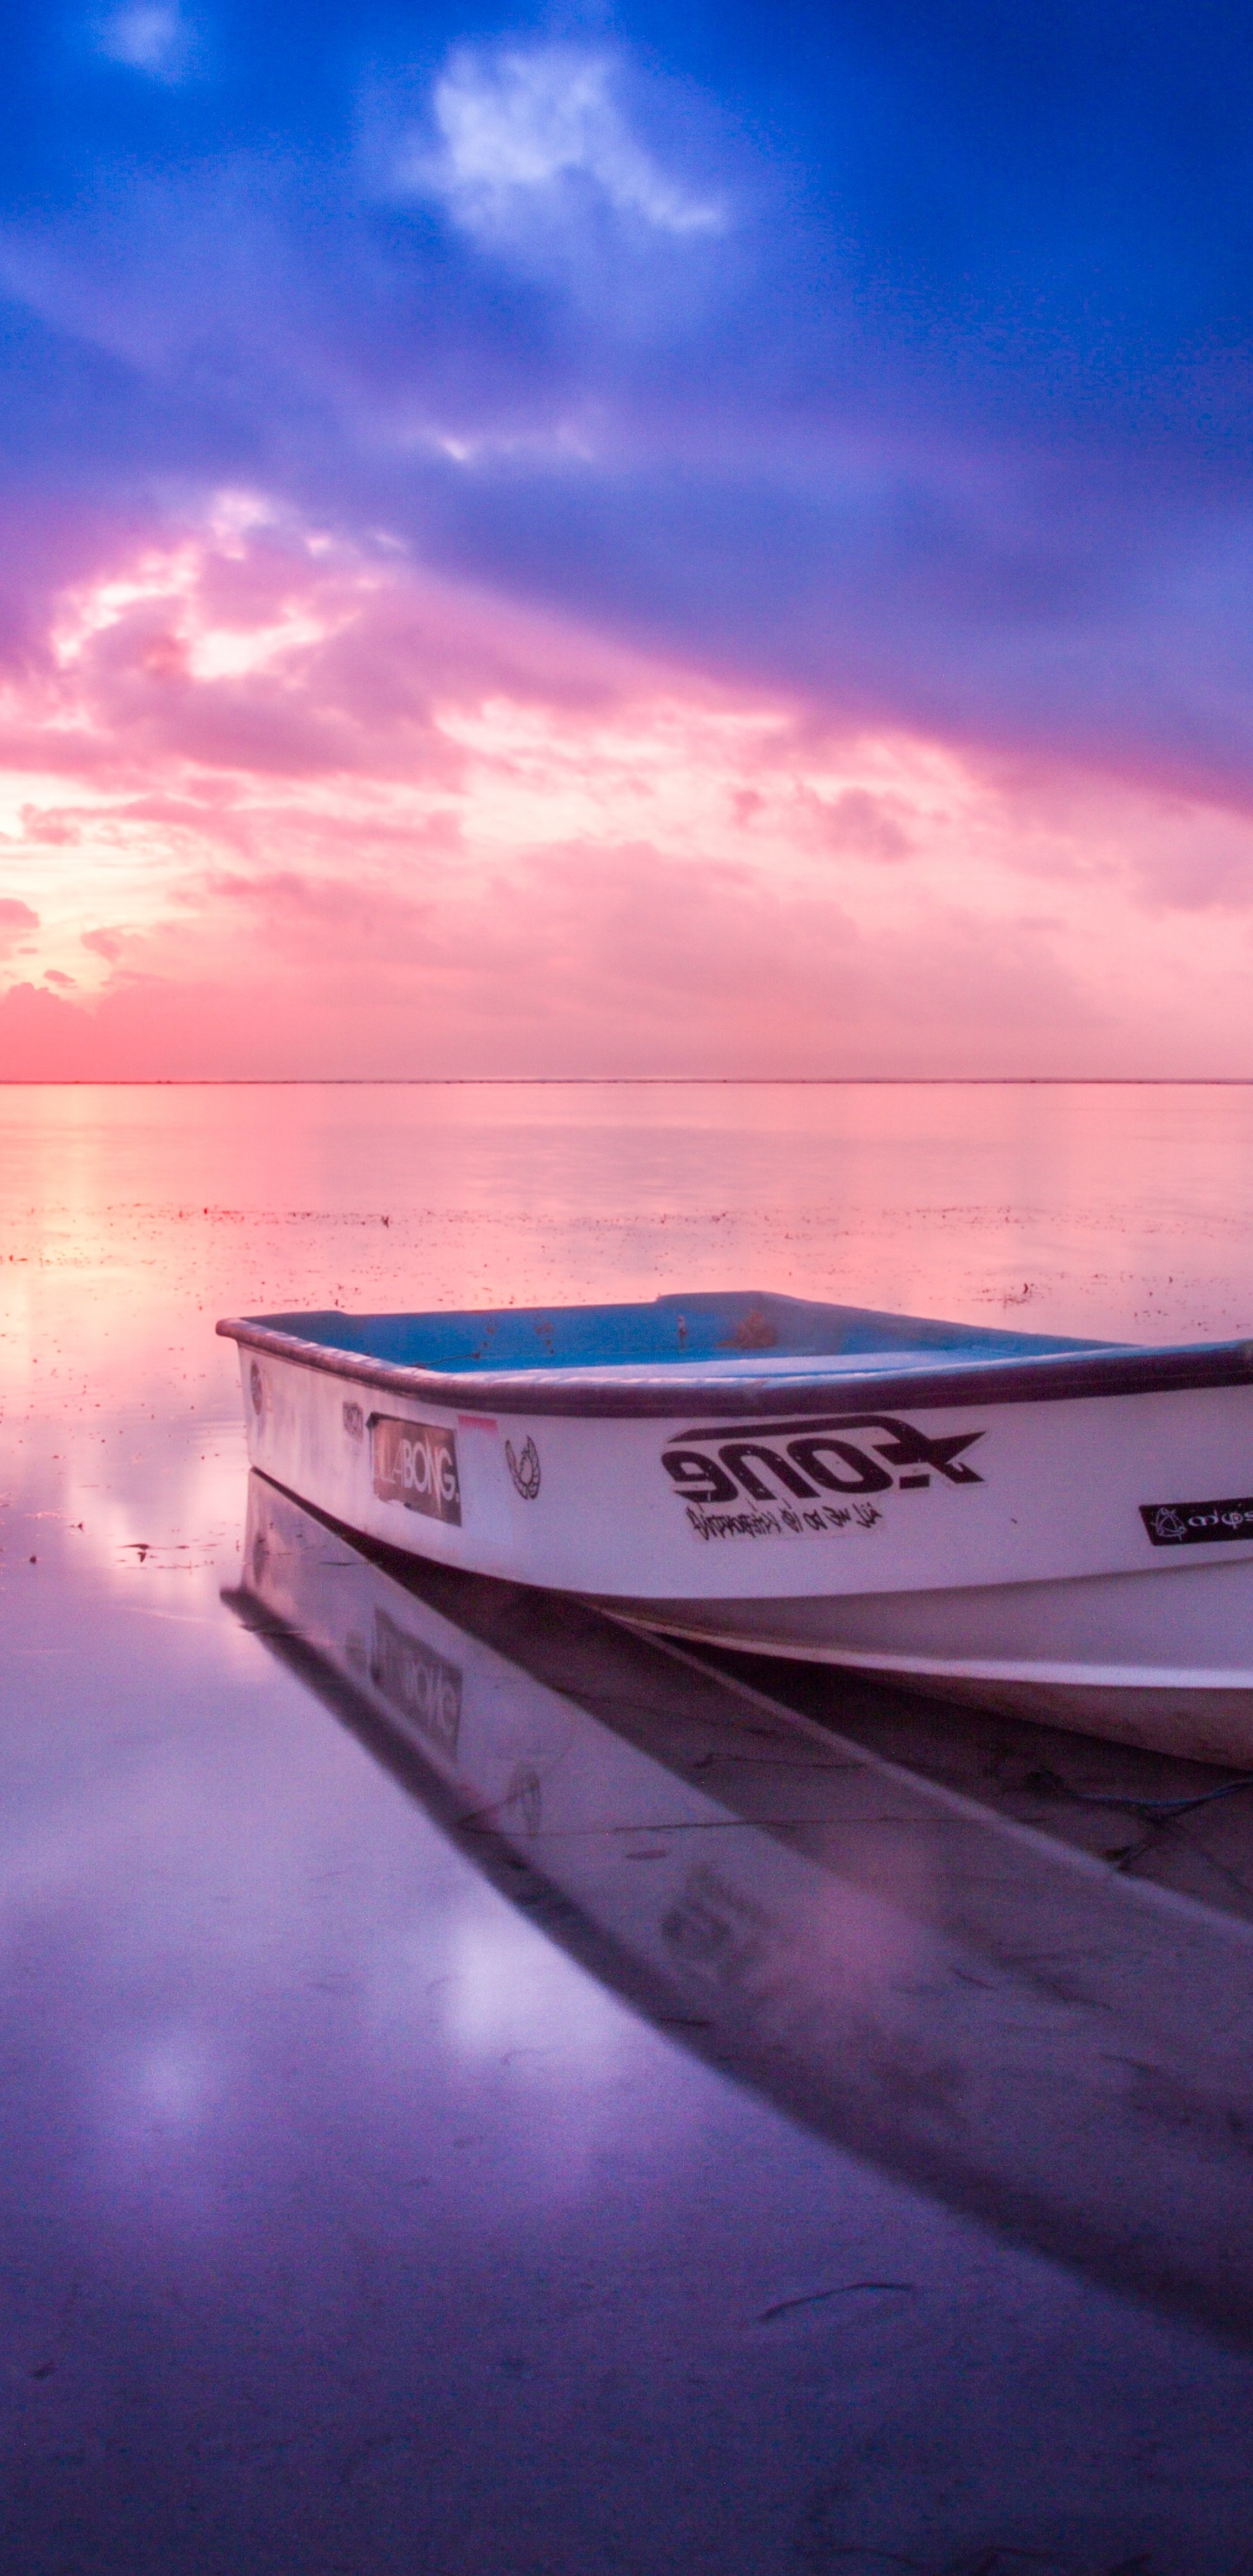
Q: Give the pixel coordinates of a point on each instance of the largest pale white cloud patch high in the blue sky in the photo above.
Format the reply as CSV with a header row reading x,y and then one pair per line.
x,y
532,135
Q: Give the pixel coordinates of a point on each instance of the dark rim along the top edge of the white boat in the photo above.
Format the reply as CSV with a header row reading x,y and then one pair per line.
x,y
1045,1379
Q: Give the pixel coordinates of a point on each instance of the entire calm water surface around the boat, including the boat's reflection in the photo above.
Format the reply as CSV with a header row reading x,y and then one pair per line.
x,y
739,2137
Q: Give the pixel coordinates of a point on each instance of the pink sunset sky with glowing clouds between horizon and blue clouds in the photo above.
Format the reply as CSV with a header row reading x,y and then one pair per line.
x,y
277,805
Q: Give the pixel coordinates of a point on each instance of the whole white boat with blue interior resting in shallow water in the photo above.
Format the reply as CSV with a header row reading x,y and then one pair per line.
x,y
1027,1524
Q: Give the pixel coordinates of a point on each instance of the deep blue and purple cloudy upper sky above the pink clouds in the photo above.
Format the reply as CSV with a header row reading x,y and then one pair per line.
x,y
891,359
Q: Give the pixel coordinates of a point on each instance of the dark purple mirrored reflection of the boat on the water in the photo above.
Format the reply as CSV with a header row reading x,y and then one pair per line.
x,y
984,2011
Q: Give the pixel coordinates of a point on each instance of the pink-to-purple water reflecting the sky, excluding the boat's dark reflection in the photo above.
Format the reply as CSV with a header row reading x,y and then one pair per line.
x,y
349,2217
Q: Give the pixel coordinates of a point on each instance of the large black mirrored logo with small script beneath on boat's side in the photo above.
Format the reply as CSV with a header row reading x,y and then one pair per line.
x,y
790,1472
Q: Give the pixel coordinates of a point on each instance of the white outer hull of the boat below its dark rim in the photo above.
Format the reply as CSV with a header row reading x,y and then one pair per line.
x,y
1030,1557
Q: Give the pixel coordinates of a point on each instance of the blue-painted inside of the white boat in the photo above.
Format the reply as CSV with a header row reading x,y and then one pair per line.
x,y
672,1331
